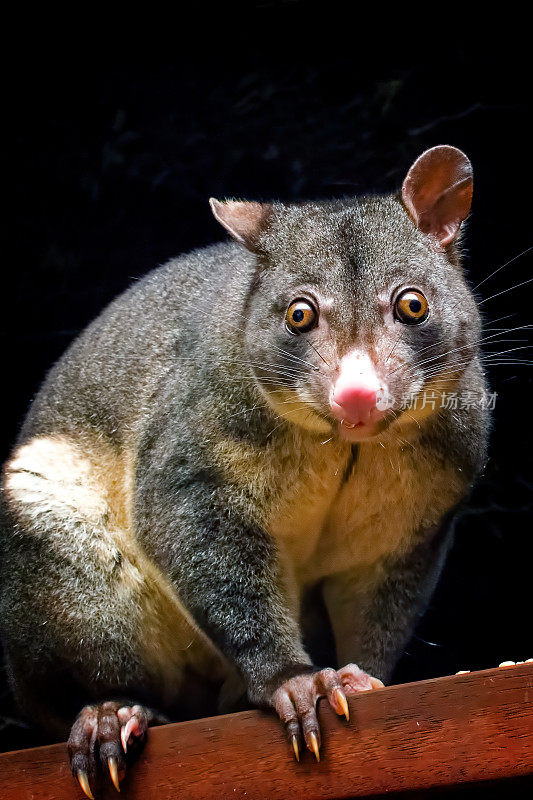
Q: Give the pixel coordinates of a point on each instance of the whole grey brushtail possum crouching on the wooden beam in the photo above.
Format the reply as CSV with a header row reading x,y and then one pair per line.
x,y
229,436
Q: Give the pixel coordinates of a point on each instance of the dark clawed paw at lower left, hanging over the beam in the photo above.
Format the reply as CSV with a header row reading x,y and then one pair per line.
x,y
103,733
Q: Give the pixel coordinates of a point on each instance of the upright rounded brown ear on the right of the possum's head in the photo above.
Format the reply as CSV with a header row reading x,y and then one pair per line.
x,y
437,191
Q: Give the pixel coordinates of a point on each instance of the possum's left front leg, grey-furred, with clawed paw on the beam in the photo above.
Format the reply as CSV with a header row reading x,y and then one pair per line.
x,y
226,571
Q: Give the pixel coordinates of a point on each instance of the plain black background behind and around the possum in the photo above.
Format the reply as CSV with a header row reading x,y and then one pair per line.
x,y
115,157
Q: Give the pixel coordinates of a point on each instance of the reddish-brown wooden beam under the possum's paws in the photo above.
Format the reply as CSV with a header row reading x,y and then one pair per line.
x,y
441,732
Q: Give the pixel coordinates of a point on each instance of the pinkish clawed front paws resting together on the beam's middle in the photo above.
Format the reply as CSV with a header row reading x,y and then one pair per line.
x,y
295,701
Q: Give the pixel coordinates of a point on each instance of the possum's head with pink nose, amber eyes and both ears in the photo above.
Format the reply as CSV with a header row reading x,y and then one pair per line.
x,y
359,309
